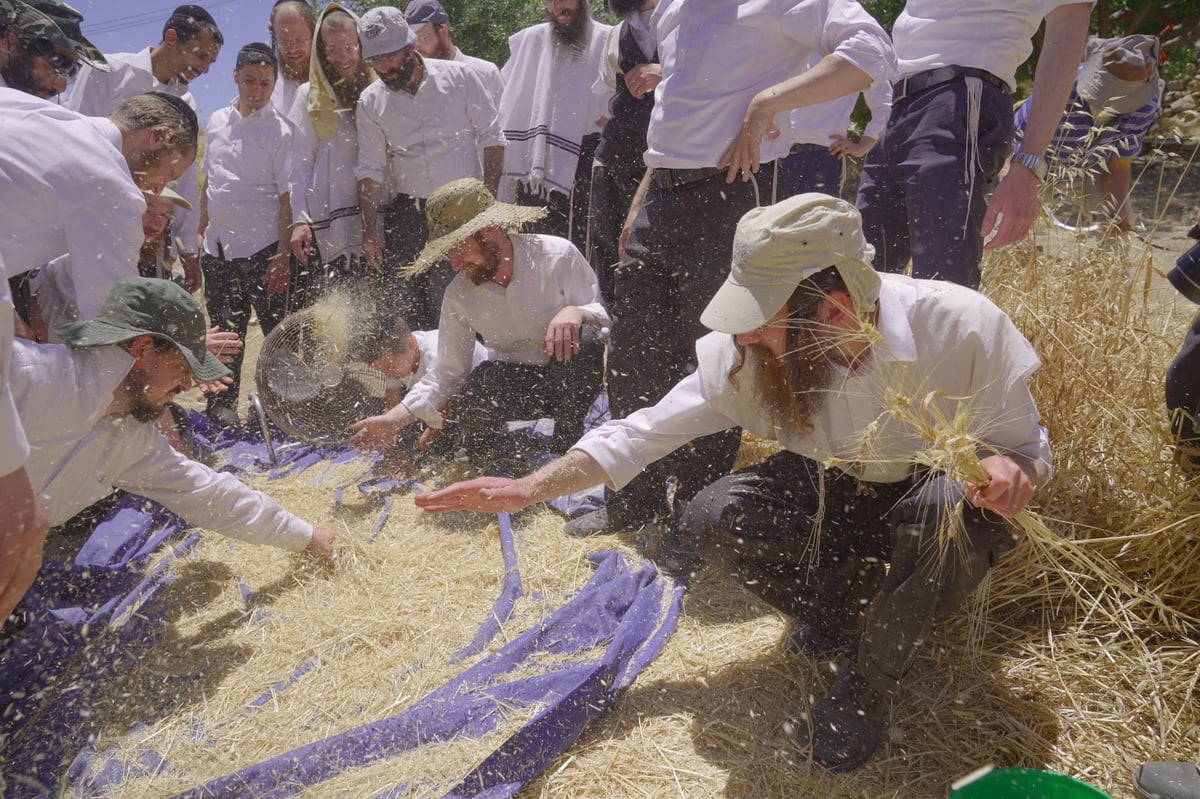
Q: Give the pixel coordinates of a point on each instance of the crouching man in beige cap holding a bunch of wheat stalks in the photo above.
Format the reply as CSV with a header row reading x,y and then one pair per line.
x,y
851,373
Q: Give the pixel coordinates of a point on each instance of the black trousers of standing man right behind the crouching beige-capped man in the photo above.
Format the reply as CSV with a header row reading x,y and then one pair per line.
x,y
676,259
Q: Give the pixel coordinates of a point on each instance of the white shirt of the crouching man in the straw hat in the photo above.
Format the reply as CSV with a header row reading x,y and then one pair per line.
x,y
549,274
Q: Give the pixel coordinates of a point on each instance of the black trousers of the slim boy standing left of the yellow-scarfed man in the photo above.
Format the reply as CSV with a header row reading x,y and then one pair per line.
x,y
231,290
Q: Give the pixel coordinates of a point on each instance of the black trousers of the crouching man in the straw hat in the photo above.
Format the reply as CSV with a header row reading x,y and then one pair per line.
x,y
499,393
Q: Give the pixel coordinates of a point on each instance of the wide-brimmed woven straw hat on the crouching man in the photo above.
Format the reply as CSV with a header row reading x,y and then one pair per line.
x,y
461,209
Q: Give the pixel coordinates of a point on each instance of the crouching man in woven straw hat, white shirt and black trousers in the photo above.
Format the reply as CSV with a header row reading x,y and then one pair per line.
x,y
535,303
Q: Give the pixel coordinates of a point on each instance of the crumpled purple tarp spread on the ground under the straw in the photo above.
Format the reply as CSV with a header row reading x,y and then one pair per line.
x,y
89,622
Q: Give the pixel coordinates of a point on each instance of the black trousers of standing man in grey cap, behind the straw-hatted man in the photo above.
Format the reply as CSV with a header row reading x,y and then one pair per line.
x,y
418,301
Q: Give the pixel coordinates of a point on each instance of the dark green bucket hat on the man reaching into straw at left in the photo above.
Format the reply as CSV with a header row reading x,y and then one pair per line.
x,y
148,307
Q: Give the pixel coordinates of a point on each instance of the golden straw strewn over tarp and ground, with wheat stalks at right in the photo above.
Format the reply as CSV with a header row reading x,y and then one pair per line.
x,y
1079,654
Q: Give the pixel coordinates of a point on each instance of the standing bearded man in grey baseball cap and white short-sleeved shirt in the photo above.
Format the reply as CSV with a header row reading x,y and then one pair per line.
x,y
423,124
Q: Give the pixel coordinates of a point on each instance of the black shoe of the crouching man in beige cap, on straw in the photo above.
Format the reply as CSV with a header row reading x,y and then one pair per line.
x,y
848,725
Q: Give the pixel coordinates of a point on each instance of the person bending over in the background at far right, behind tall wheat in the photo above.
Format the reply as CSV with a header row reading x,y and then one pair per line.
x,y
1117,99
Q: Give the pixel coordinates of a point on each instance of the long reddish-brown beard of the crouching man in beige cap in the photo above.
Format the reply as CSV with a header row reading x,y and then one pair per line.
x,y
791,387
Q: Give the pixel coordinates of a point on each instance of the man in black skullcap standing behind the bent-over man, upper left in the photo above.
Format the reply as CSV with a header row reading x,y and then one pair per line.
x,y
191,43
